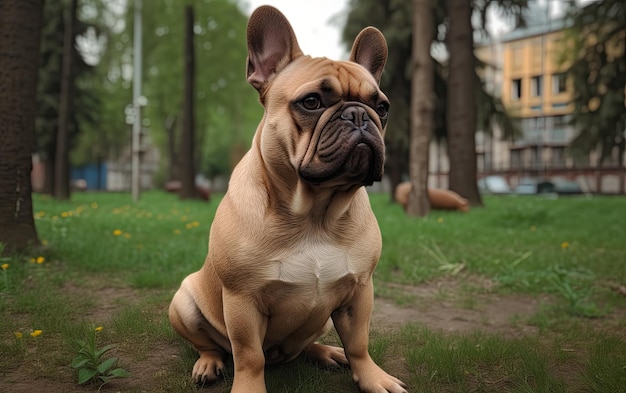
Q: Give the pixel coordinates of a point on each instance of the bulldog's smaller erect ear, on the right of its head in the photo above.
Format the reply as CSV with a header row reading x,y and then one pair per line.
x,y
370,51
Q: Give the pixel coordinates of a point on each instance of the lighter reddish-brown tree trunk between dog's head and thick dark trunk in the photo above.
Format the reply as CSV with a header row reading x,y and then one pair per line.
x,y
422,107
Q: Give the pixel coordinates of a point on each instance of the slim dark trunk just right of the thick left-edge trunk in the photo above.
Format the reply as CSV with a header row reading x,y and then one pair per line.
x,y
61,163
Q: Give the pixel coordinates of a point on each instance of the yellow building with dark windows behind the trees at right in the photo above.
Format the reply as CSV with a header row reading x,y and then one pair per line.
x,y
534,90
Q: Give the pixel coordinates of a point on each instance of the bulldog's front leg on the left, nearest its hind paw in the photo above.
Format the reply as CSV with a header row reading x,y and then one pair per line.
x,y
246,327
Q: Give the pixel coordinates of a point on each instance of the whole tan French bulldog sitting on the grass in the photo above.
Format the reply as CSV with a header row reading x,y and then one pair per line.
x,y
294,242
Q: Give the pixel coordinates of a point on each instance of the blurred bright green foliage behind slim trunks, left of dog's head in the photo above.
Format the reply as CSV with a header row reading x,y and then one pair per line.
x,y
227,109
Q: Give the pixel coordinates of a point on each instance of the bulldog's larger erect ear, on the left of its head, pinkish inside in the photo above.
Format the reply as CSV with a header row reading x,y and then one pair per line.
x,y
272,45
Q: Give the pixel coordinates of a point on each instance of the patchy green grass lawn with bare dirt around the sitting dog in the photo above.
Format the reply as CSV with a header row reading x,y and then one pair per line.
x,y
525,295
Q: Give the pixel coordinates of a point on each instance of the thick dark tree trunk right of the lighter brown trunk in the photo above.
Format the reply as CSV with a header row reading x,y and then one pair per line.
x,y
461,105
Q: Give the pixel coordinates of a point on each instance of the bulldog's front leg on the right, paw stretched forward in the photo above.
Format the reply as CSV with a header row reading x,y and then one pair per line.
x,y
352,325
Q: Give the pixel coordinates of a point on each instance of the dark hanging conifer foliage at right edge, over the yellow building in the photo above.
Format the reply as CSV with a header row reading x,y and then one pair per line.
x,y
598,74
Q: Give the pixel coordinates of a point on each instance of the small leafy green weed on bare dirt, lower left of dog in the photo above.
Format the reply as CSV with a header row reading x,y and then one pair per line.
x,y
90,362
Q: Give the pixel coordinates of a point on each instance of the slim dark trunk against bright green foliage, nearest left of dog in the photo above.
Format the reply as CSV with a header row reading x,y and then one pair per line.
x,y
187,173
